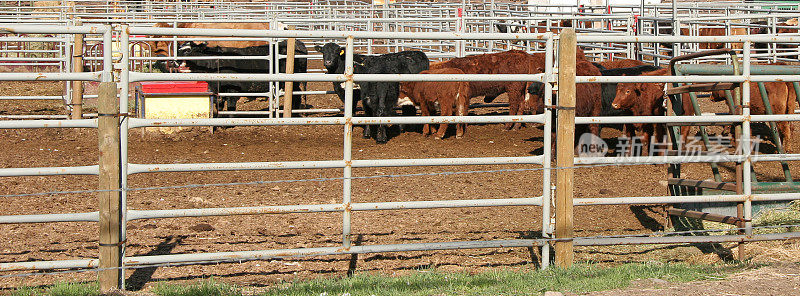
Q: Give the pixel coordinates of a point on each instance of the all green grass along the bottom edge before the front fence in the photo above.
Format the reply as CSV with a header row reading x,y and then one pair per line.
x,y
578,279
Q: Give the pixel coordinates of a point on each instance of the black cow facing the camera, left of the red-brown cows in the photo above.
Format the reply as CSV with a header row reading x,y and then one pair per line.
x,y
375,101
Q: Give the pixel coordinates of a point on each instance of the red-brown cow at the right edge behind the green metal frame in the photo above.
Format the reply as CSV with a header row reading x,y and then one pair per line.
x,y
782,99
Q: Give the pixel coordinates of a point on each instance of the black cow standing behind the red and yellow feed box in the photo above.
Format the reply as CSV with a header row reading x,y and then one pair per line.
x,y
191,49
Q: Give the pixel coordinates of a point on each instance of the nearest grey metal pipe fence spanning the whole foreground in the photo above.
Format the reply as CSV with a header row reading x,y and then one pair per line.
x,y
541,162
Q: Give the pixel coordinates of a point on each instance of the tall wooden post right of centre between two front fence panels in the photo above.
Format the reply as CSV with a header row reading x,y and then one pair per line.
x,y
565,147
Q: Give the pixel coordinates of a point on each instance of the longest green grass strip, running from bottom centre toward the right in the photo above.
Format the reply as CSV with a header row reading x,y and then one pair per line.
x,y
578,279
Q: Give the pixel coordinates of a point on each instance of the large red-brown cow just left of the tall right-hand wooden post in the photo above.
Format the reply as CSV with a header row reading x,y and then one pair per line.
x,y
507,62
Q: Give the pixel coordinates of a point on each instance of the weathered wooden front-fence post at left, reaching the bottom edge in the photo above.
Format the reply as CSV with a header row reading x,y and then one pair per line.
x,y
110,200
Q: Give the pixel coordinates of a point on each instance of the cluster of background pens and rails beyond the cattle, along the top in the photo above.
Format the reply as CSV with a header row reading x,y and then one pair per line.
x,y
484,17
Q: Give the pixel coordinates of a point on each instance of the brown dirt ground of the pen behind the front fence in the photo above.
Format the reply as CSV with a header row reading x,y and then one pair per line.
x,y
74,147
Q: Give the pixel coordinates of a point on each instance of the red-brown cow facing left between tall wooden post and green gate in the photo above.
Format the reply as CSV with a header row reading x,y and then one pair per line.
x,y
648,99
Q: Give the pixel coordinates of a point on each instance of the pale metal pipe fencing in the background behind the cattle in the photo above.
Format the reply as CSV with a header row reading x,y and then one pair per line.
x,y
418,17
